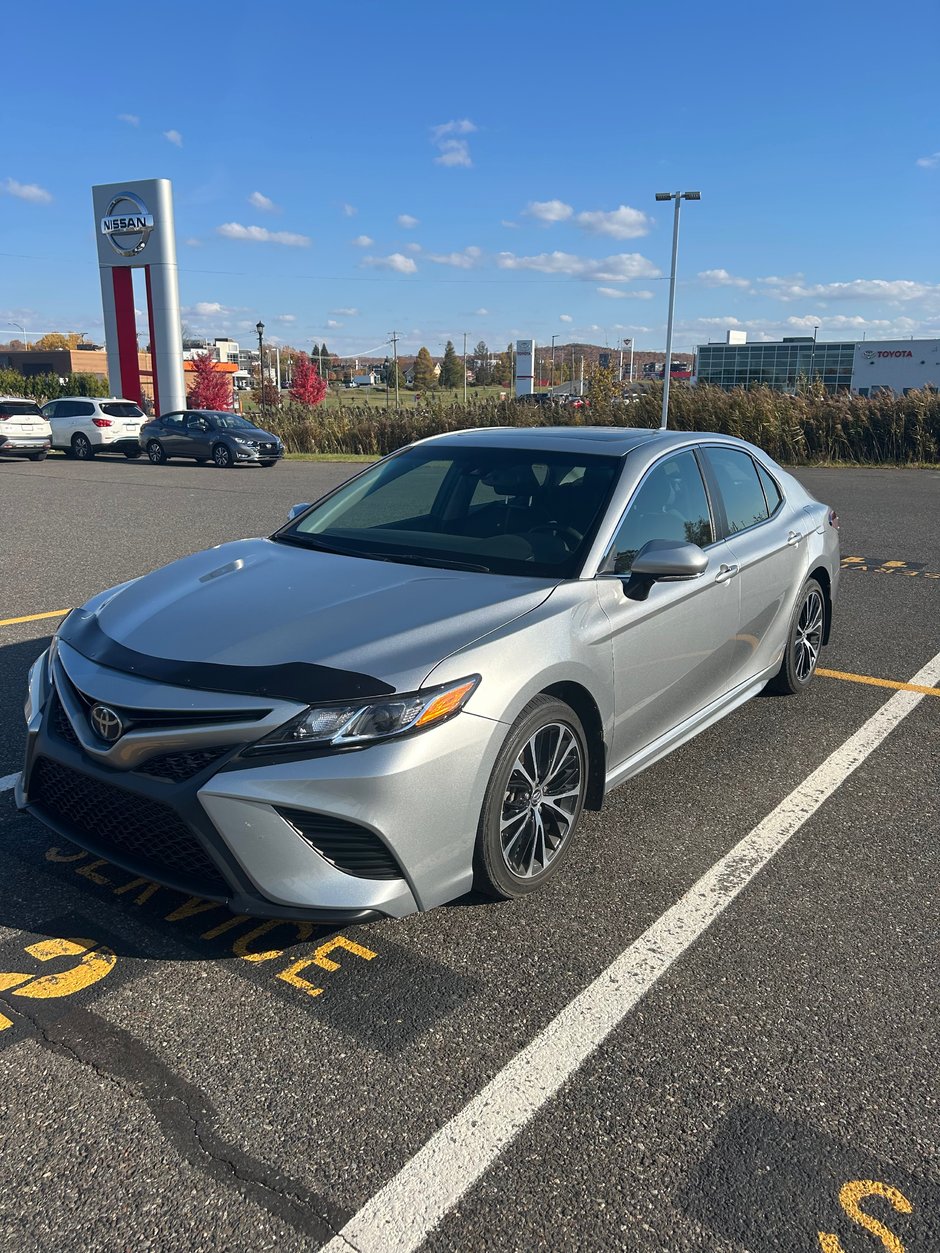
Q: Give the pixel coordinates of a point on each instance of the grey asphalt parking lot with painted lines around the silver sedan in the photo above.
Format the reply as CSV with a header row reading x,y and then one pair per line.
x,y
174,1077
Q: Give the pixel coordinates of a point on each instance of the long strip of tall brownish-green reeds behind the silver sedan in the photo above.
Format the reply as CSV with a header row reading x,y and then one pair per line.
x,y
810,428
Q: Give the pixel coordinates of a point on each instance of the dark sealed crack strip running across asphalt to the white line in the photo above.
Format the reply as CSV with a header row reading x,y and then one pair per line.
x,y
186,1118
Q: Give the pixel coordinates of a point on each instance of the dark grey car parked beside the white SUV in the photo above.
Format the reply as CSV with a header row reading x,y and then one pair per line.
x,y
210,435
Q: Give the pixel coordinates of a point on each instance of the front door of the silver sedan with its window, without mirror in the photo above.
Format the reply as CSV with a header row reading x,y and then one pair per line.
x,y
674,651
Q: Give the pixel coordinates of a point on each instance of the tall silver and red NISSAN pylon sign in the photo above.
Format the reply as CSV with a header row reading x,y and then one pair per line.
x,y
135,231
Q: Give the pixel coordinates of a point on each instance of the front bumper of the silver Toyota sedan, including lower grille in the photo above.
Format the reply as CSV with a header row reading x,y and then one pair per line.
x,y
273,838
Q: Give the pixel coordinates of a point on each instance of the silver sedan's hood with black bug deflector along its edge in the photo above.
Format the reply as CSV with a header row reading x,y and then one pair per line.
x,y
232,616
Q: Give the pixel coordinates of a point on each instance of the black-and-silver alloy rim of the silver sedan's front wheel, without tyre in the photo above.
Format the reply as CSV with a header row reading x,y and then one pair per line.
x,y
542,800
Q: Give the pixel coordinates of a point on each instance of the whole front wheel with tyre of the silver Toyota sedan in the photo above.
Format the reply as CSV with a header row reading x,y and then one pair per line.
x,y
533,801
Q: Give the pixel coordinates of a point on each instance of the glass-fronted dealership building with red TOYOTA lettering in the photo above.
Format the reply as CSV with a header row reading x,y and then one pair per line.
x,y
868,368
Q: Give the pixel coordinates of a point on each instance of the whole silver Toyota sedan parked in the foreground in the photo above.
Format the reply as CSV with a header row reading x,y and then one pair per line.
x,y
420,682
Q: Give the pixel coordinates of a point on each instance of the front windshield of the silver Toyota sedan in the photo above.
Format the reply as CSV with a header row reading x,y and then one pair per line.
x,y
503,511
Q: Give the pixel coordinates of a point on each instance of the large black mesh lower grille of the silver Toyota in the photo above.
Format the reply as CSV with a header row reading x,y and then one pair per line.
x,y
151,835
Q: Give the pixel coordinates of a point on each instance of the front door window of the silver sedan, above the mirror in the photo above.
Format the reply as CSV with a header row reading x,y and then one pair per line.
x,y
671,504
